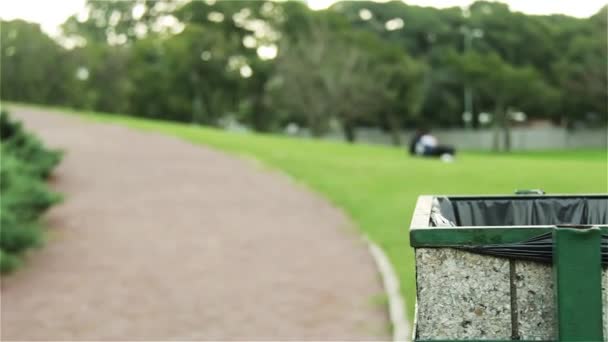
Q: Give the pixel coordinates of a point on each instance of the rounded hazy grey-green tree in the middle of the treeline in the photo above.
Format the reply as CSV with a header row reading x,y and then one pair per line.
x,y
348,75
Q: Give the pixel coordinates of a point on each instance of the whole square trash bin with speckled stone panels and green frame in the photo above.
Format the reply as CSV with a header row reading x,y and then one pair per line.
x,y
519,267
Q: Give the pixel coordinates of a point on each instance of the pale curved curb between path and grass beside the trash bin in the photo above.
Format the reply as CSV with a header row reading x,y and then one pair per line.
x,y
396,303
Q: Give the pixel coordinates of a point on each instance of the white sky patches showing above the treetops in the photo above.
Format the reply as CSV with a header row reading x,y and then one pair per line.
x,y
50,14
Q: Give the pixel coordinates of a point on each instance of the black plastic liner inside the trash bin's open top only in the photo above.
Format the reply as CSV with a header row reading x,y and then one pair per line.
x,y
524,211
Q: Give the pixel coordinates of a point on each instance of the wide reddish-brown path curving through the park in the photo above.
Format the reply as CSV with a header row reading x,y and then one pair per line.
x,y
162,240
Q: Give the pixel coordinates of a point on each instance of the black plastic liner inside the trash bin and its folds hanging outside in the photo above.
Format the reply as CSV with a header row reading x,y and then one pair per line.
x,y
522,211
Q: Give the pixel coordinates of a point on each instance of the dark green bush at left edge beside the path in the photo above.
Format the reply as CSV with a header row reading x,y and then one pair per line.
x,y
24,165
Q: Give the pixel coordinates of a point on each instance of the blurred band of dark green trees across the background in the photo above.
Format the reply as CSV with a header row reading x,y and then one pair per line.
x,y
268,64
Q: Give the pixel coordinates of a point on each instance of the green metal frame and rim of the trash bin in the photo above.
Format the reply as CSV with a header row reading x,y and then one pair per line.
x,y
578,289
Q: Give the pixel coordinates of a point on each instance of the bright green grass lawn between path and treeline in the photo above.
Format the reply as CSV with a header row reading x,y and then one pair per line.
x,y
378,186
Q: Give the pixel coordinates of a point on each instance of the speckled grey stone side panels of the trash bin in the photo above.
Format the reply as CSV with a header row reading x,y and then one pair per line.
x,y
462,295
